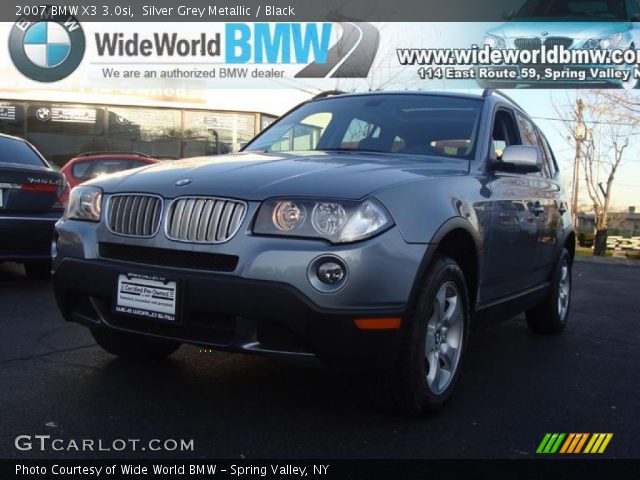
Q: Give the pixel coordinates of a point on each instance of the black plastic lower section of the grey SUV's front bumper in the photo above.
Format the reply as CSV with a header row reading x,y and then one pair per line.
x,y
232,314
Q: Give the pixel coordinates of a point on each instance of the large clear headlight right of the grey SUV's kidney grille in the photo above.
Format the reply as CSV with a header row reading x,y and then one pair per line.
x,y
338,221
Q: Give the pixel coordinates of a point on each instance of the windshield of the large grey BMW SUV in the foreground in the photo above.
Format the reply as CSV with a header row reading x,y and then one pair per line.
x,y
387,123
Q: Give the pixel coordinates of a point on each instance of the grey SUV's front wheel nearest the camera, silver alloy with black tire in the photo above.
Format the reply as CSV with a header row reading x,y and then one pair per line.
x,y
412,386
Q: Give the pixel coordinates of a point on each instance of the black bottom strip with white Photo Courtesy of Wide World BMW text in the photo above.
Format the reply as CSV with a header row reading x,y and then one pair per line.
x,y
315,469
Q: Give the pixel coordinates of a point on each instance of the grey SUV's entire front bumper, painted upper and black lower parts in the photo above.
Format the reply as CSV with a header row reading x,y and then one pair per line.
x,y
266,305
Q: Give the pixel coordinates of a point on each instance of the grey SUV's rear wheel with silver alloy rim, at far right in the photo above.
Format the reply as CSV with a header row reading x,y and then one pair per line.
x,y
551,315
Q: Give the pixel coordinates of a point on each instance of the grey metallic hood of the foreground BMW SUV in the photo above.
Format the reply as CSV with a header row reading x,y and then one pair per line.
x,y
258,176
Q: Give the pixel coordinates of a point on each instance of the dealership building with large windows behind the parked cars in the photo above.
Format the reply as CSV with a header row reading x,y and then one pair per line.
x,y
64,129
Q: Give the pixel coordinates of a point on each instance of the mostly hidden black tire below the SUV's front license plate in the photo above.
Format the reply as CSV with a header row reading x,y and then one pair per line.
x,y
131,346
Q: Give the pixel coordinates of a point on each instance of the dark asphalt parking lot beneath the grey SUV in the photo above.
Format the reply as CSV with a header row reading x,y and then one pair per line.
x,y
515,387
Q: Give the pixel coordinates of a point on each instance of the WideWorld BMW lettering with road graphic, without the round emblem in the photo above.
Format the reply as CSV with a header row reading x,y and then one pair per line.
x,y
258,44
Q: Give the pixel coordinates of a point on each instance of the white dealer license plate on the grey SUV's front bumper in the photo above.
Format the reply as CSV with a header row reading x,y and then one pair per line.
x,y
146,296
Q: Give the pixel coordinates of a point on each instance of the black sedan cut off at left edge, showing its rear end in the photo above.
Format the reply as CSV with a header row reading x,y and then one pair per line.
x,y
29,190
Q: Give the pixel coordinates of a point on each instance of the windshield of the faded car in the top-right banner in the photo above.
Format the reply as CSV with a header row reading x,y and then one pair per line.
x,y
559,9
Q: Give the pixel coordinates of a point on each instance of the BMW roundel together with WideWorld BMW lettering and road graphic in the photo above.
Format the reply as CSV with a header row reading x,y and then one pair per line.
x,y
48,47
